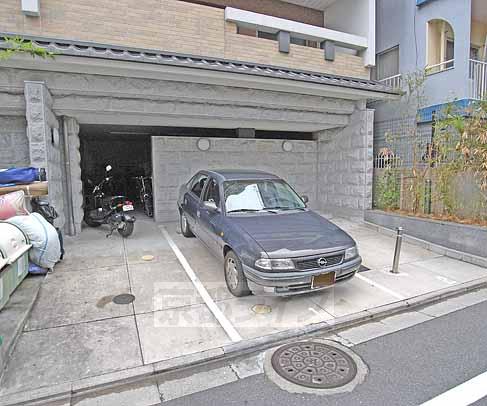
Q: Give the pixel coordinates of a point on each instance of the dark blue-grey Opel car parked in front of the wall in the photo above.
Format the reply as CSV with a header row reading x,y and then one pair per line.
x,y
270,241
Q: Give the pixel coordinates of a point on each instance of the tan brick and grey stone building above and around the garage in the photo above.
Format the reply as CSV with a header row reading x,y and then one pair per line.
x,y
274,85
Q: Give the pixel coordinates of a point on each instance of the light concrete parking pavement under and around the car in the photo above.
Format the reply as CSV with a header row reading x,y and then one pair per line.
x,y
76,332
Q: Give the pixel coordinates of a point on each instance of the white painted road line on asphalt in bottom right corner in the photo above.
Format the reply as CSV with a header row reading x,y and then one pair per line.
x,y
462,395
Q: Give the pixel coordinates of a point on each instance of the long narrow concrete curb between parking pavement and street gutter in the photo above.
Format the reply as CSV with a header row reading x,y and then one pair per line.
x,y
65,391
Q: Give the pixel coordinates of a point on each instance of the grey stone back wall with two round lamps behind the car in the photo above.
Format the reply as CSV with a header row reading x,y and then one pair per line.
x,y
176,159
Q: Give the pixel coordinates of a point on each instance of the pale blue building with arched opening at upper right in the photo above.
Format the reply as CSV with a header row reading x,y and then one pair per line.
x,y
443,39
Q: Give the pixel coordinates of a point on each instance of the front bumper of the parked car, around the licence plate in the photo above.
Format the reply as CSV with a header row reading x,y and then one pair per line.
x,y
296,282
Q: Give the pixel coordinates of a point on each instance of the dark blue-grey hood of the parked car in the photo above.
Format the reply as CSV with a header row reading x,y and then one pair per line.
x,y
294,234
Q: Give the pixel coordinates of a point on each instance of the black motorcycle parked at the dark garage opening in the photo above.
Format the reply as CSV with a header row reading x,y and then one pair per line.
x,y
116,211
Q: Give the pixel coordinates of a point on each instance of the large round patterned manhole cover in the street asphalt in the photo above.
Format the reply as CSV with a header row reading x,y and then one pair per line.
x,y
314,365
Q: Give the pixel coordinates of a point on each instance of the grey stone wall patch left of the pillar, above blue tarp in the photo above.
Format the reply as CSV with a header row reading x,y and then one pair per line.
x,y
14,144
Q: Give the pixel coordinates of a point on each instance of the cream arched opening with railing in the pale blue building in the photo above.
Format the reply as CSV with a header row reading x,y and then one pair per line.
x,y
440,46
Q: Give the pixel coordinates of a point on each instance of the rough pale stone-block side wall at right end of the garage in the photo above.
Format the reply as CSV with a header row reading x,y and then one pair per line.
x,y
346,166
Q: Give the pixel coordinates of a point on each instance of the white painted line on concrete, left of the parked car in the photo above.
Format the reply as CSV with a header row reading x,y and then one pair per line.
x,y
224,322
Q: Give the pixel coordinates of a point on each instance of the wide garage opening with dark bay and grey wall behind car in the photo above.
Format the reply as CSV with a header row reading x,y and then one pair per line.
x,y
167,157
